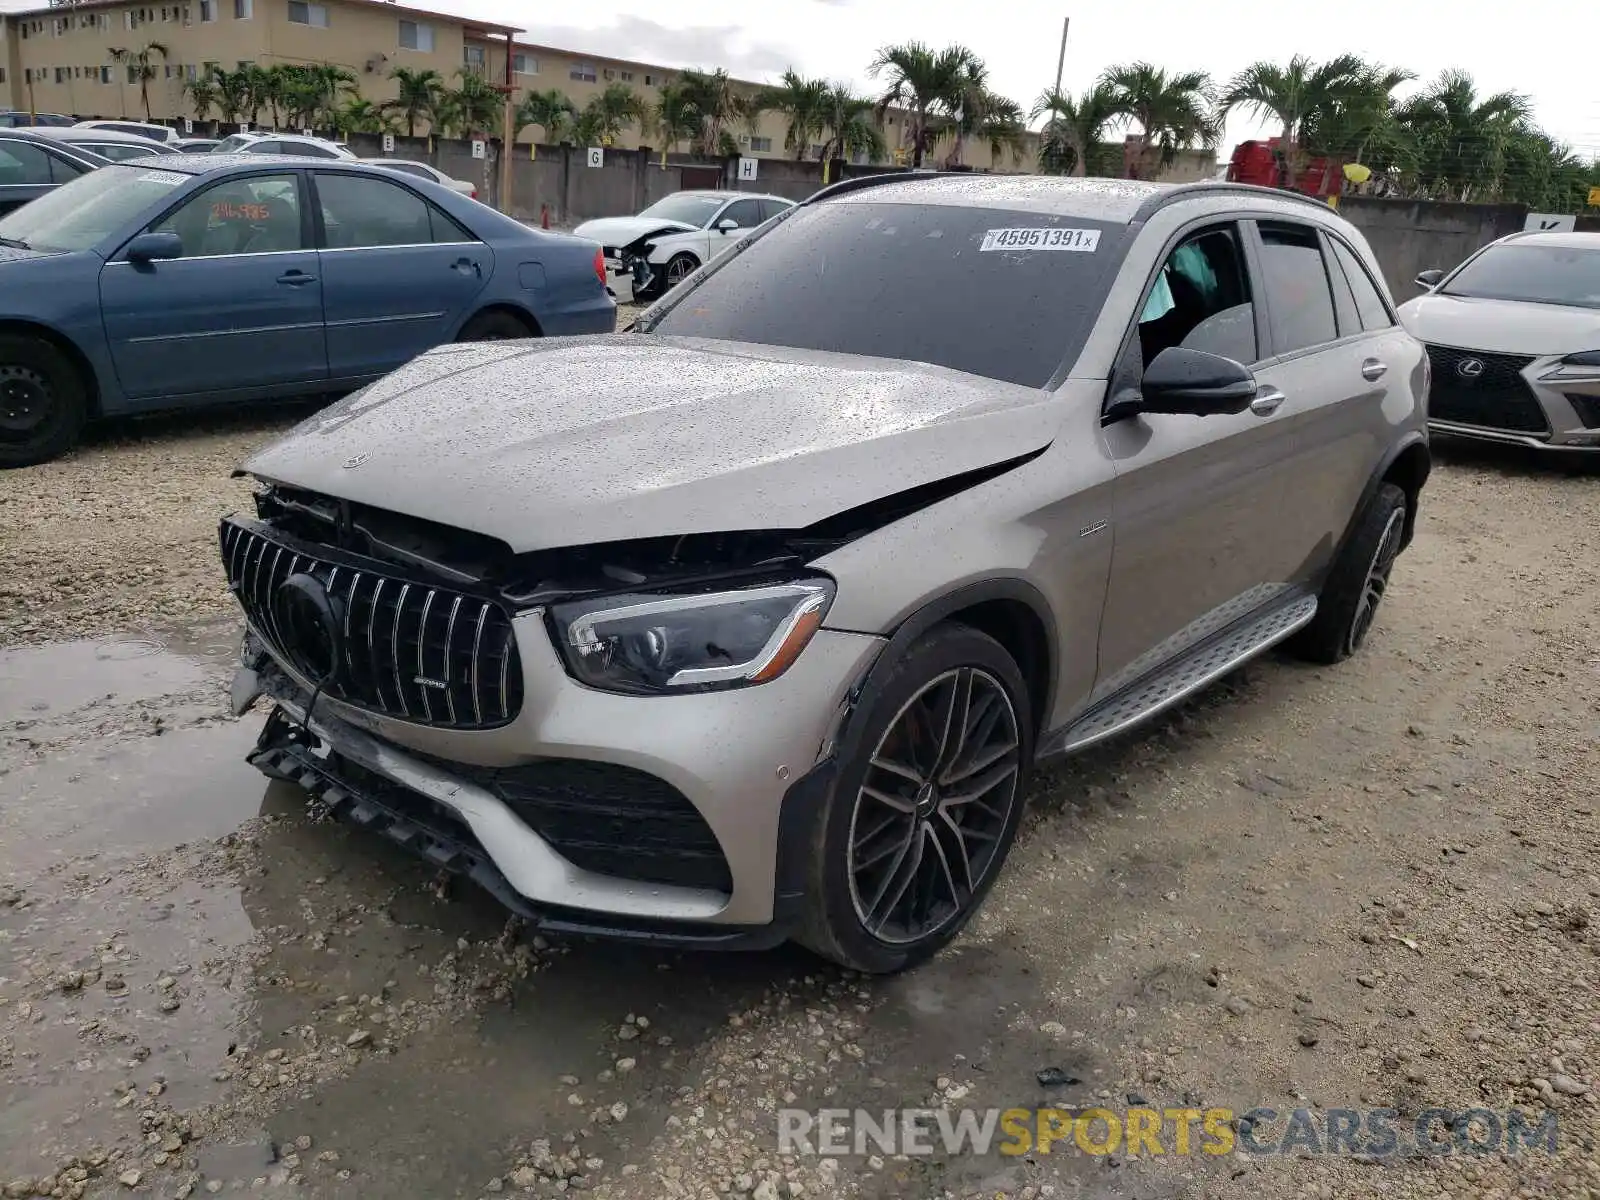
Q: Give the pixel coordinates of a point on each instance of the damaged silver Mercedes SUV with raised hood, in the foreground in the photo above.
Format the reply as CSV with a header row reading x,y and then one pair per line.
x,y
748,625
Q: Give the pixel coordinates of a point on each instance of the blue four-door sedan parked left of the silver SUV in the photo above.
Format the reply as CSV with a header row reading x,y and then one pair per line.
x,y
199,281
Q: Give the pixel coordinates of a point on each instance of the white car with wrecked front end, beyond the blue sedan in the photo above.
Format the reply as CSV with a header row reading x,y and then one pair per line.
x,y
658,249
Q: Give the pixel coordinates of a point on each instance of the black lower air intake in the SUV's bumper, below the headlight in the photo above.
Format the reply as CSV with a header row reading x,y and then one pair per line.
x,y
612,820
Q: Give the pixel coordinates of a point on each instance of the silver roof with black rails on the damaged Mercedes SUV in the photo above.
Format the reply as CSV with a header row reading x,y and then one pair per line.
x,y
1108,201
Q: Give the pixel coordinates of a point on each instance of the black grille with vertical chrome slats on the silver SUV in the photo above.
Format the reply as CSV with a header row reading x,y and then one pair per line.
x,y
410,650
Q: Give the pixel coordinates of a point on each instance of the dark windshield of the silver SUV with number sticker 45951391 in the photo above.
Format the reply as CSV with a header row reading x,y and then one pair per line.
x,y
1004,295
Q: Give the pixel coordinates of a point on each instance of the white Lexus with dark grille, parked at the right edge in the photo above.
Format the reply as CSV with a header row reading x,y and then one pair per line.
x,y
1514,343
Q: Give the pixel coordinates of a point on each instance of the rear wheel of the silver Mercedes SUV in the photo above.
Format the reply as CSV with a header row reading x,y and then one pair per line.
x,y
1356,586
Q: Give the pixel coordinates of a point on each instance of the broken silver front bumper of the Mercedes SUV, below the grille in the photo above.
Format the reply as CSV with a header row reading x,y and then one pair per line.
x,y
444,812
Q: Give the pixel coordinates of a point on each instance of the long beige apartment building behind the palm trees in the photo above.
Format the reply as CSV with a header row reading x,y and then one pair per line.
x,y
62,60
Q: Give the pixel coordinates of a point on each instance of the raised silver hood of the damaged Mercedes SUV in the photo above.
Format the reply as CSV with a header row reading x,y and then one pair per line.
x,y
578,441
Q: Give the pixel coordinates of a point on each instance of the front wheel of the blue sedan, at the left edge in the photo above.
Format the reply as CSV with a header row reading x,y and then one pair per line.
x,y
44,402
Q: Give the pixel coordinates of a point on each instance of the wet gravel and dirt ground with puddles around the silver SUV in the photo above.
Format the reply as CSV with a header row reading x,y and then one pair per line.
x,y
1321,887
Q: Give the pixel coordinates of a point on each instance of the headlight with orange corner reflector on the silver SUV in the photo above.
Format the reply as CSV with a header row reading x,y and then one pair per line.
x,y
652,646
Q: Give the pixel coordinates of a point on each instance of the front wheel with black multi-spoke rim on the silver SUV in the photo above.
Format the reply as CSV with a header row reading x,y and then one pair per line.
x,y
924,814
